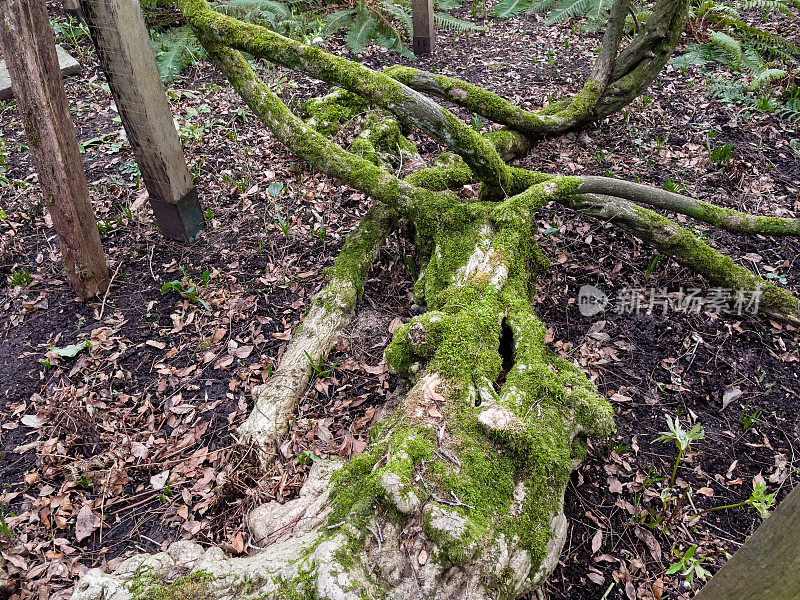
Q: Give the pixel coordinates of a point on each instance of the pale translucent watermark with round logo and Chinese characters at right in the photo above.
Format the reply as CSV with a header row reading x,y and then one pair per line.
x,y
639,300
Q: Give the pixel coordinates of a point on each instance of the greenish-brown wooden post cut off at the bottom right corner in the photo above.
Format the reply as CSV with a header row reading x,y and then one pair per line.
x,y
767,566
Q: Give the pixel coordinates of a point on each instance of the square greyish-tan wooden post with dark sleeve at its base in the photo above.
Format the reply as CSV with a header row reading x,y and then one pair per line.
x,y
120,37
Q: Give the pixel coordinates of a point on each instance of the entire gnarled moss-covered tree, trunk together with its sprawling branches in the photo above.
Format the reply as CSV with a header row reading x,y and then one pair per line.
x,y
459,493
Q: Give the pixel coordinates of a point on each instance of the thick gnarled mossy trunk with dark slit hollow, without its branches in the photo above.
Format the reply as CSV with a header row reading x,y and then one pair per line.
x,y
459,494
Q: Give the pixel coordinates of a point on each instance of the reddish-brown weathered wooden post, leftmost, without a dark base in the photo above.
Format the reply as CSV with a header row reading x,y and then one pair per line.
x,y
30,54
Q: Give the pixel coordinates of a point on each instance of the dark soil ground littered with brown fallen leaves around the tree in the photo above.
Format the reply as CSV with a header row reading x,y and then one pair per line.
x,y
130,444
